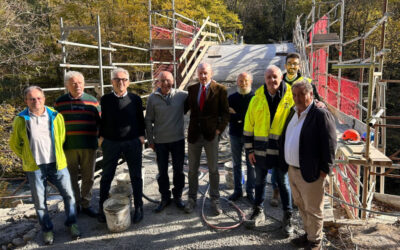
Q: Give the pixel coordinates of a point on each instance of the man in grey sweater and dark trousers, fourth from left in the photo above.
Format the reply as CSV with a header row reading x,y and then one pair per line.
x,y
165,134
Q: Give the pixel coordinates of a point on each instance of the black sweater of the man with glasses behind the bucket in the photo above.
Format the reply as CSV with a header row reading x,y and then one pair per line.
x,y
121,117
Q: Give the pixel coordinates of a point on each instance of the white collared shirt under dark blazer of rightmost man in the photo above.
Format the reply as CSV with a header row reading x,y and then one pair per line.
x,y
292,137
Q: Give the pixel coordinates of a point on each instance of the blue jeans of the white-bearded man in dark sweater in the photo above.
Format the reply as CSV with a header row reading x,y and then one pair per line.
x,y
237,143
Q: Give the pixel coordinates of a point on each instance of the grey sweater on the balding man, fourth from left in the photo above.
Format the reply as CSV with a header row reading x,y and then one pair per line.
x,y
164,117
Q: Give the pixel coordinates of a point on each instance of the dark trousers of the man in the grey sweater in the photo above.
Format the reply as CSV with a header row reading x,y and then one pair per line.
x,y
177,150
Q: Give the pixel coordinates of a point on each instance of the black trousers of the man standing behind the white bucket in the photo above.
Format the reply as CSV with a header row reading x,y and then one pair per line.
x,y
132,151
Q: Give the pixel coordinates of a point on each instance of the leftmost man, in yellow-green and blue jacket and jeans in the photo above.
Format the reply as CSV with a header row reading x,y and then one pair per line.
x,y
37,138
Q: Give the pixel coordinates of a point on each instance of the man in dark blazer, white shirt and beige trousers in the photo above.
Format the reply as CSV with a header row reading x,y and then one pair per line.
x,y
307,148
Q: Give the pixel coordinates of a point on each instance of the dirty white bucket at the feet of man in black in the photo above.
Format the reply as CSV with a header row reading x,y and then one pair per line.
x,y
117,212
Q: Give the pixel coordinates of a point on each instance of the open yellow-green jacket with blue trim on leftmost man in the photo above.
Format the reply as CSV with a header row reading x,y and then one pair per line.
x,y
19,140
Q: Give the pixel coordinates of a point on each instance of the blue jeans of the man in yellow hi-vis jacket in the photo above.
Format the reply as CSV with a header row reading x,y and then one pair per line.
x,y
283,185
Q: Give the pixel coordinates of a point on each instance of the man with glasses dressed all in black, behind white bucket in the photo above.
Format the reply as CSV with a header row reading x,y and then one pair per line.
x,y
122,131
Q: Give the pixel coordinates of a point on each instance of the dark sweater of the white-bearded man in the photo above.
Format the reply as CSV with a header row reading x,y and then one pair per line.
x,y
239,103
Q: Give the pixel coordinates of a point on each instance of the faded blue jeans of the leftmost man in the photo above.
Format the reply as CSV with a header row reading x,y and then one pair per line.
x,y
38,183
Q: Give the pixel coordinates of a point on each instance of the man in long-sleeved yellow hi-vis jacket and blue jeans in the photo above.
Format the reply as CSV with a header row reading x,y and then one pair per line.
x,y
264,122
